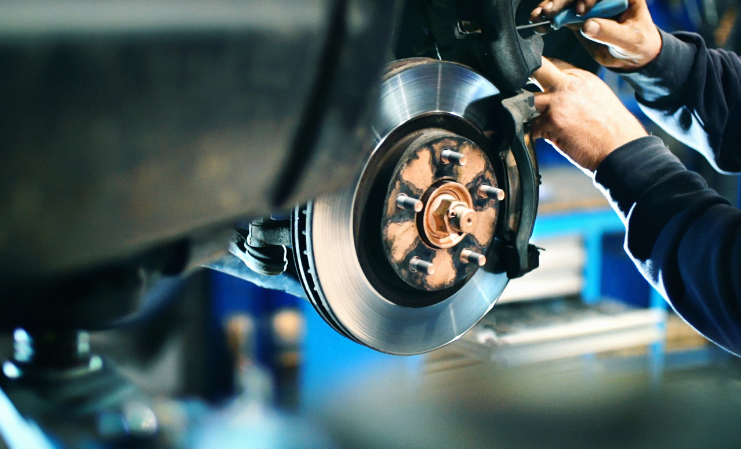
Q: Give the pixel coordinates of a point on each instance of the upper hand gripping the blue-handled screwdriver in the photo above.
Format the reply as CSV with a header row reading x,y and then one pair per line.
x,y
628,43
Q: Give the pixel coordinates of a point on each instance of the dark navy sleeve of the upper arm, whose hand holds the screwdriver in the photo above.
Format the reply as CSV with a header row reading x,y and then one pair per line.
x,y
694,93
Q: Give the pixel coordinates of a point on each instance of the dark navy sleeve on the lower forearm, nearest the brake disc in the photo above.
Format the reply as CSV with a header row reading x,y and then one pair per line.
x,y
682,236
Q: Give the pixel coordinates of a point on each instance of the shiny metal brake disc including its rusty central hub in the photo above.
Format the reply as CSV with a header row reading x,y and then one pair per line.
x,y
398,261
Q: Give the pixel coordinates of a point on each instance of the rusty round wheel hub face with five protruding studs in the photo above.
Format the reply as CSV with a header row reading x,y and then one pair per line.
x,y
435,213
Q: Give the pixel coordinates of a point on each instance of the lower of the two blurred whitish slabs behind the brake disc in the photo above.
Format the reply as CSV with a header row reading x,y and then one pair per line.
x,y
550,330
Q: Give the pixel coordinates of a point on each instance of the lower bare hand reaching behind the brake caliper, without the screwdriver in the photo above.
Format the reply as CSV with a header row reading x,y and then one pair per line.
x,y
580,115
